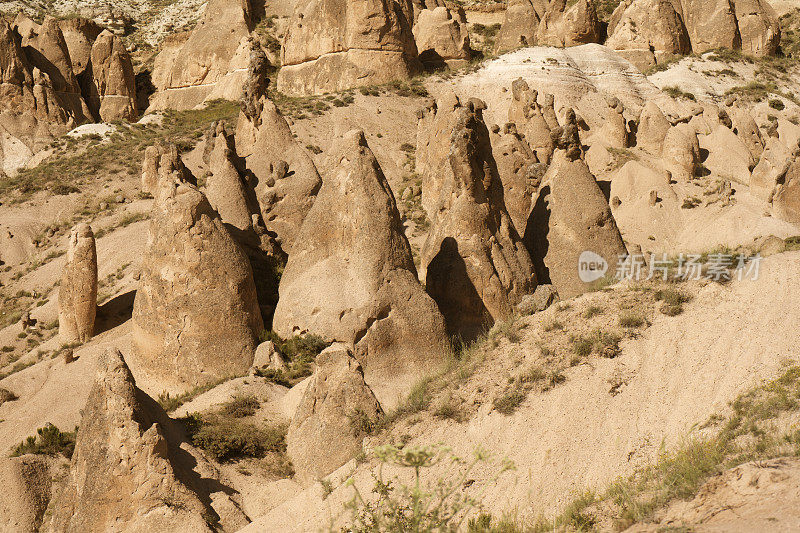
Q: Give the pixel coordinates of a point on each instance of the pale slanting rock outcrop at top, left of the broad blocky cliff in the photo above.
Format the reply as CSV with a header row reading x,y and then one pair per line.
x,y
211,62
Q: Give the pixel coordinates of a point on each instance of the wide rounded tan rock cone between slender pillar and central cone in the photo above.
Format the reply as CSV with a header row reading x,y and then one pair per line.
x,y
196,316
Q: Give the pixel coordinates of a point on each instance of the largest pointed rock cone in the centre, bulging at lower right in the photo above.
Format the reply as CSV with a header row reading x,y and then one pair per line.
x,y
351,277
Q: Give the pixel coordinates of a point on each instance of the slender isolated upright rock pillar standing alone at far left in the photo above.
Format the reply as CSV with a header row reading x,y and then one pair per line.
x,y
77,294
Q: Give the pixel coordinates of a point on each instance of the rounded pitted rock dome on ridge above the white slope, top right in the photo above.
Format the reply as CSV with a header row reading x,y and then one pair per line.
x,y
646,32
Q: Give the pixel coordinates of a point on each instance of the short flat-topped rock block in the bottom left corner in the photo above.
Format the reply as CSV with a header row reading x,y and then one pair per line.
x,y
27,485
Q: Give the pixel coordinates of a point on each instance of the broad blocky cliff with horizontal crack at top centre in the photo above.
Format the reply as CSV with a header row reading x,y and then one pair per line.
x,y
335,45
